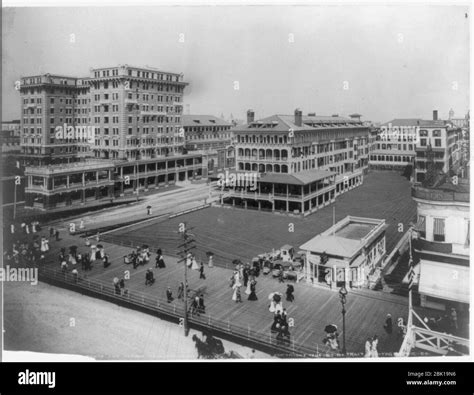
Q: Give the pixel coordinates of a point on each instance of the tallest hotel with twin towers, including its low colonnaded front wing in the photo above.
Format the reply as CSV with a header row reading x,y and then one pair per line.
x,y
137,139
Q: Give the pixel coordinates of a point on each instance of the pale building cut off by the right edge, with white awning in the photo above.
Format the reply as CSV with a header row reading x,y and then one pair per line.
x,y
442,244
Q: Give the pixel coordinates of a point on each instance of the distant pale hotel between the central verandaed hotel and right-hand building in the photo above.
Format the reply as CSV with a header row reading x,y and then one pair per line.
x,y
394,145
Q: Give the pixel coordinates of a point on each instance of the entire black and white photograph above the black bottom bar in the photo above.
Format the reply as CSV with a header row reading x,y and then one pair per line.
x,y
254,181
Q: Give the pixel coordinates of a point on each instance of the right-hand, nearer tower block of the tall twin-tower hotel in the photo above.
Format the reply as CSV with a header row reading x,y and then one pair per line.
x,y
136,112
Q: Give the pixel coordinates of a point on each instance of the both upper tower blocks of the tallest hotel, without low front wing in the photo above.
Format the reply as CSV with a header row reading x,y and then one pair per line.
x,y
134,113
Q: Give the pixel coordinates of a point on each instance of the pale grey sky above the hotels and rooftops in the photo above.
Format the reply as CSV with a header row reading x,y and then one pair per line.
x,y
381,61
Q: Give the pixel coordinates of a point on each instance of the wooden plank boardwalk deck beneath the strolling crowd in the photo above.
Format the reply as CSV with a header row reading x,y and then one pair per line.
x,y
312,309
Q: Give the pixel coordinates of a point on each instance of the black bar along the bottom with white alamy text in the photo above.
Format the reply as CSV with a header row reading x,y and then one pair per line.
x,y
287,377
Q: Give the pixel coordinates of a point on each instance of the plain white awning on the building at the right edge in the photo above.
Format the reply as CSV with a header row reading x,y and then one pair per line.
x,y
444,281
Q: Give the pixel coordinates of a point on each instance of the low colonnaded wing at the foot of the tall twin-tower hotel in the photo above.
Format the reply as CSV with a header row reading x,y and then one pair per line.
x,y
97,182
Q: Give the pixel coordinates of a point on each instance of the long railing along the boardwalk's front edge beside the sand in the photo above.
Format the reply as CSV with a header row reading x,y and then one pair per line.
x,y
175,311
